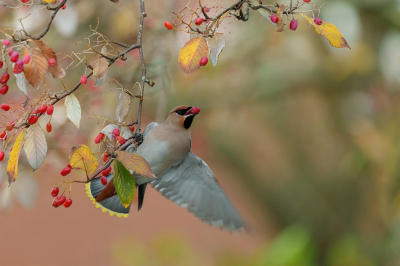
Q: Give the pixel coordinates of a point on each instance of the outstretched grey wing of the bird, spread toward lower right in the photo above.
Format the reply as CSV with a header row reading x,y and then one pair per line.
x,y
192,184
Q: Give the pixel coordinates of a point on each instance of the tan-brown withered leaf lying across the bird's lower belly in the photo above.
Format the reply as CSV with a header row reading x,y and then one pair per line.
x,y
135,163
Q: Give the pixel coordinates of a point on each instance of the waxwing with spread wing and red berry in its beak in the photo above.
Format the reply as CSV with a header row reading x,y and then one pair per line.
x,y
182,177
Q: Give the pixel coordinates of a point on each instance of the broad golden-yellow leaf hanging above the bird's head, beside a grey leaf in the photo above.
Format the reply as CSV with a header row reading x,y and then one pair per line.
x,y
191,53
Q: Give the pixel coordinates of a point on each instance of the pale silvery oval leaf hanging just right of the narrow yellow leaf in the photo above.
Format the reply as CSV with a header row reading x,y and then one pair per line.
x,y
35,146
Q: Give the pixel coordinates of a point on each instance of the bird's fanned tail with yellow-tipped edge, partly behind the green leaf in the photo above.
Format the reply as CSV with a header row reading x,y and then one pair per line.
x,y
106,197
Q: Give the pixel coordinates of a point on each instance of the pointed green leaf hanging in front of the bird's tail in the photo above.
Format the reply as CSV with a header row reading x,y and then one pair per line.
x,y
124,183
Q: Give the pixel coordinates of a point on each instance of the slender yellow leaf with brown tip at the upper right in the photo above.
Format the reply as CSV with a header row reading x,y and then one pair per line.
x,y
330,32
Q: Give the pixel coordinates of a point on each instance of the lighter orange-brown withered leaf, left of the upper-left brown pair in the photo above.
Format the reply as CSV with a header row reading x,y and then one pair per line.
x,y
36,69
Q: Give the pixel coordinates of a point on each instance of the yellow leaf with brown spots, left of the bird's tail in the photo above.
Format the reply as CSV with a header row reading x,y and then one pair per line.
x,y
82,157
